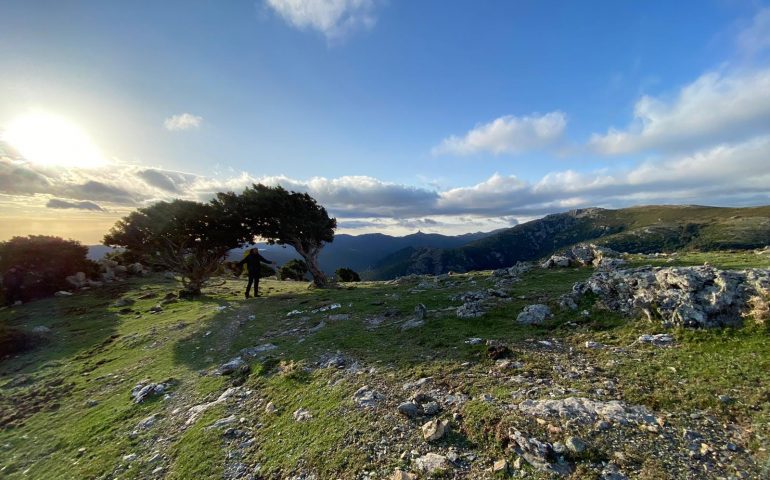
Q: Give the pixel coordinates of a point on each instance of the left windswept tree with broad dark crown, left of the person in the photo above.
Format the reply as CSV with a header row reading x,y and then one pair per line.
x,y
188,238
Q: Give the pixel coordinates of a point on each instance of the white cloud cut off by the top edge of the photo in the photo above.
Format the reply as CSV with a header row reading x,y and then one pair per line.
x,y
333,18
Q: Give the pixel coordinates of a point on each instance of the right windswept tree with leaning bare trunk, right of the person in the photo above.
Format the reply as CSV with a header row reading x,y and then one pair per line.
x,y
283,217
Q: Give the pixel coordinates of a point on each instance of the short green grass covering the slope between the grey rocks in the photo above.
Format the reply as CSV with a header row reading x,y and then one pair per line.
x,y
95,353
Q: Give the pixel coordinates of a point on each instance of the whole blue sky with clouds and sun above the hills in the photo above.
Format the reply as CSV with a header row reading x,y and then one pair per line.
x,y
397,116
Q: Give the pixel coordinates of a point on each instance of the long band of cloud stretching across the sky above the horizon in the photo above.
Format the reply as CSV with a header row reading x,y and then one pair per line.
x,y
725,174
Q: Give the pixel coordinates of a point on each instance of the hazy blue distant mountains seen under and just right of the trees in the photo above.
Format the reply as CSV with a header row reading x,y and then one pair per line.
x,y
363,252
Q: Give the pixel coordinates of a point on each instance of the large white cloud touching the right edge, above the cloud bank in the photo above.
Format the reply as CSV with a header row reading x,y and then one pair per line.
x,y
715,108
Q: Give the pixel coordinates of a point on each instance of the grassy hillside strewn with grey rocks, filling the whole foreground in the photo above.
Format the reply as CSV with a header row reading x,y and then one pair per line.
x,y
569,369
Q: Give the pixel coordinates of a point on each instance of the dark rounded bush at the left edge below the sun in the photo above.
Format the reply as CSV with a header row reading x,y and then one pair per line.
x,y
46,262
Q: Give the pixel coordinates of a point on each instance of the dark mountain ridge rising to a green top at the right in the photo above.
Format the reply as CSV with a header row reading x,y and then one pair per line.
x,y
638,229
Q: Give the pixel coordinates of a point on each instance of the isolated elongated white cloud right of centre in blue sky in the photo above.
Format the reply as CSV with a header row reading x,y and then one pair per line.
x,y
508,134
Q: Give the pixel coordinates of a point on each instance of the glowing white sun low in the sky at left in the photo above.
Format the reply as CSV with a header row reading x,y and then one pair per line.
x,y
52,140
